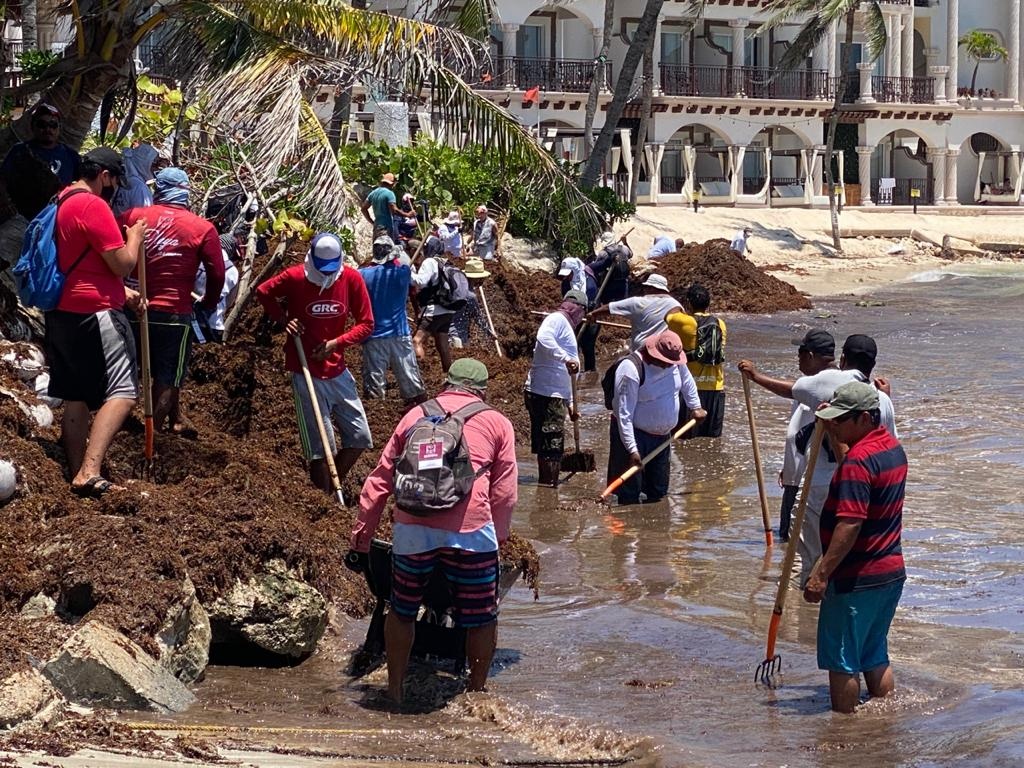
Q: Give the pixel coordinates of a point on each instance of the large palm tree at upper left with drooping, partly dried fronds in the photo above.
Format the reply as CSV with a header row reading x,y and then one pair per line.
x,y
257,65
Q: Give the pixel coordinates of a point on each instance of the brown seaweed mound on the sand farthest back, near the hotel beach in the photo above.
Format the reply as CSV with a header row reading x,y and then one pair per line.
x,y
736,283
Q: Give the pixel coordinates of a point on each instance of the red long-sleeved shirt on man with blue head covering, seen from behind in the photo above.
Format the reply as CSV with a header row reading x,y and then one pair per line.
x,y
177,242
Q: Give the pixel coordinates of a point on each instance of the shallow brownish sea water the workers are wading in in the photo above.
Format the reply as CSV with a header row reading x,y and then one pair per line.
x,y
653,619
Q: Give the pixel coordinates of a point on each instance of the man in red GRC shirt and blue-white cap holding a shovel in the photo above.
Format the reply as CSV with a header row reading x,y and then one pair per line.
x,y
316,301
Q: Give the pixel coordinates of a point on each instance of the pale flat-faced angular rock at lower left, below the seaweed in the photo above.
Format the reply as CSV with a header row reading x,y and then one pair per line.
x,y
101,667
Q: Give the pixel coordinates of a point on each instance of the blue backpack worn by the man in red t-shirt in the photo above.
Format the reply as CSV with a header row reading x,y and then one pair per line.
x,y
37,273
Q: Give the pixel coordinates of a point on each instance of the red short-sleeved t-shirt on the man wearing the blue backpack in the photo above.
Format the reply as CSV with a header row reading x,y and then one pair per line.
x,y
86,223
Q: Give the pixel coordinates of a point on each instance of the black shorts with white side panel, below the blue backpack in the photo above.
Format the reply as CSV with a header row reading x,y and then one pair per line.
x,y
92,357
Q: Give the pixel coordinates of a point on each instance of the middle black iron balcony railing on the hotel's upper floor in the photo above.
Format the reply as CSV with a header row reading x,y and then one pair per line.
x,y
751,82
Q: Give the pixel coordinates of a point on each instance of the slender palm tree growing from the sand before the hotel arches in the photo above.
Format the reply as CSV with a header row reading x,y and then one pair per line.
x,y
822,17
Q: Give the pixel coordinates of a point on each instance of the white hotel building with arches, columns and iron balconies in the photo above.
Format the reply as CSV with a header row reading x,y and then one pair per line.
x,y
729,123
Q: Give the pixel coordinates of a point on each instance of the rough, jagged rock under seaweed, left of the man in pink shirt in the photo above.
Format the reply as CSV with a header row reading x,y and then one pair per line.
x,y
275,611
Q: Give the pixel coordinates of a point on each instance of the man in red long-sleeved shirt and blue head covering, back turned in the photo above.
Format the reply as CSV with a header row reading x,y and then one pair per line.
x,y
177,243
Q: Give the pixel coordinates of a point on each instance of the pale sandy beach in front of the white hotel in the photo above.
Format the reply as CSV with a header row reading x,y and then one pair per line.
x,y
795,245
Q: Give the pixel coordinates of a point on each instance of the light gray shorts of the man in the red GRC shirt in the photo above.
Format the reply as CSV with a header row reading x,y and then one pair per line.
x,y
337,398
